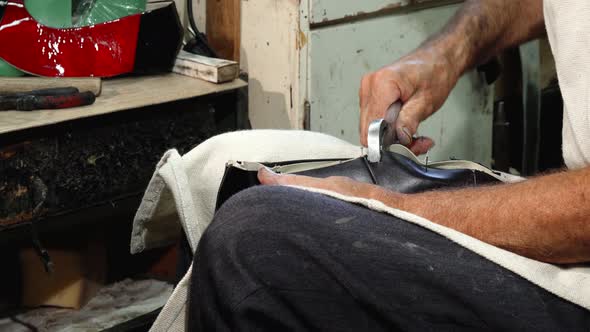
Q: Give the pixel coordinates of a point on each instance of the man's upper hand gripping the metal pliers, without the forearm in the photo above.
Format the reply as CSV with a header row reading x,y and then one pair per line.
x,y
422,81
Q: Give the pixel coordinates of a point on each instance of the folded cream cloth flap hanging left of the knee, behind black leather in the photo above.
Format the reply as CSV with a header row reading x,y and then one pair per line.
x,y
183,190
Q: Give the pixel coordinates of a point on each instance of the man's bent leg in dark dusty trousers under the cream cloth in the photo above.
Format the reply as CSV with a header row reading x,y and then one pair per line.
x,y
309,261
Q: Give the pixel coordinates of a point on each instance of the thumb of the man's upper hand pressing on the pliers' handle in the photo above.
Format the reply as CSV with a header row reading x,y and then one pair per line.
x,y
408,120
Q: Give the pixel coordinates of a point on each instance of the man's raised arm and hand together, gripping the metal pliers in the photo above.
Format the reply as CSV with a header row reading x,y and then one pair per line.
x,y
423,79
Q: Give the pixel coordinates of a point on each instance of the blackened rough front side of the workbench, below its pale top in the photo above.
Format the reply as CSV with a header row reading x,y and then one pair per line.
x,y
88,162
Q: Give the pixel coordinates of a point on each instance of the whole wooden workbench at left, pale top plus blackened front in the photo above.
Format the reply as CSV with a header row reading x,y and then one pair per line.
x,y
90,156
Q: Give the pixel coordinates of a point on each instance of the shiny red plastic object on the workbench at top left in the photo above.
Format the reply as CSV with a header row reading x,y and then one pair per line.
x,y
104,50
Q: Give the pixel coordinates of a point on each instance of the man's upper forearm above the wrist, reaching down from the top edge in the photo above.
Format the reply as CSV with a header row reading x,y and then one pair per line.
x,y
482,28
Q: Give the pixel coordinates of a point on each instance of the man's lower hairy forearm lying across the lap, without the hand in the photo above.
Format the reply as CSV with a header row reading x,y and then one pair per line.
x,y
545,218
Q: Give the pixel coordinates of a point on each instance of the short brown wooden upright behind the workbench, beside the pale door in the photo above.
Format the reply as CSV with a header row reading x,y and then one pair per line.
x,y
223,28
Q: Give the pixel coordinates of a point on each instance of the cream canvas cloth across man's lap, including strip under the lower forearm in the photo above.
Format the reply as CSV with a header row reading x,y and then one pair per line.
x,y
183,191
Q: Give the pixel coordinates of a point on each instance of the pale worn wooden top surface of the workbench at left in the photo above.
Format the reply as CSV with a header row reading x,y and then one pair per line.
x,y
119,95
